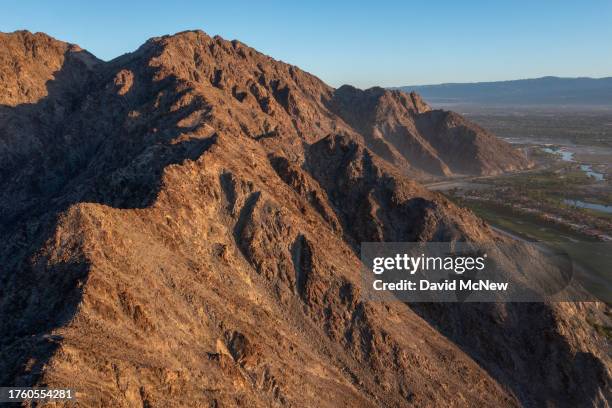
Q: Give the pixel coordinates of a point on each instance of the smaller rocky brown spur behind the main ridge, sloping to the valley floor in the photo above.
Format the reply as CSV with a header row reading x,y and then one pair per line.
x,y
402,129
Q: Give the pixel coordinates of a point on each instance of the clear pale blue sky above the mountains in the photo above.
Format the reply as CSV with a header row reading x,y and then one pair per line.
x,y
385,43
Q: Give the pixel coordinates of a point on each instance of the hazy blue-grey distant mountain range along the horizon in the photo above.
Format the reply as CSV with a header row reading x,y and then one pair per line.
x,y
546,91
